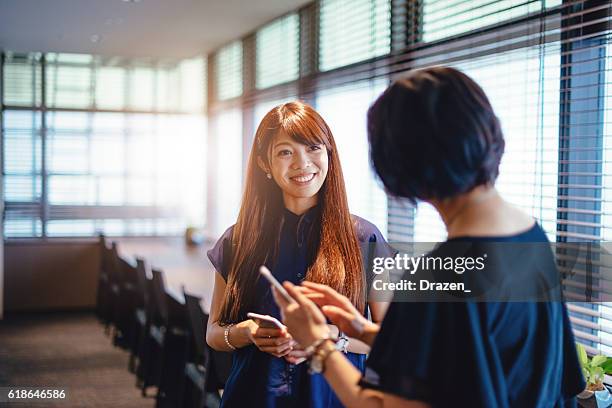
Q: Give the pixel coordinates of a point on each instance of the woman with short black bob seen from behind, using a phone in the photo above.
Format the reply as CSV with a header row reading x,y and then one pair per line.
x,y
434,137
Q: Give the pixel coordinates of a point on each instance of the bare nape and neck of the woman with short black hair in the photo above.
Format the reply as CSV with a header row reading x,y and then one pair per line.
x,y
481,212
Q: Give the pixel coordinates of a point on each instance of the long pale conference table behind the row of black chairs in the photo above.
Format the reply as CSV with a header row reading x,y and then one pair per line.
x,y
183,265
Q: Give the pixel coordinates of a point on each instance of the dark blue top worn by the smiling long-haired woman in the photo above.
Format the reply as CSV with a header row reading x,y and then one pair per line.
x,y
259,379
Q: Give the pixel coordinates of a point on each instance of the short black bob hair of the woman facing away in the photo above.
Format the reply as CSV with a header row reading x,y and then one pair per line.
x,y
434,135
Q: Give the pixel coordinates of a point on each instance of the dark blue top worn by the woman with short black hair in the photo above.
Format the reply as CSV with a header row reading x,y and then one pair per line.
x,y
510,354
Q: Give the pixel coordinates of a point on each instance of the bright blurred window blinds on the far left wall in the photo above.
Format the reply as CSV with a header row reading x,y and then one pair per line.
x,y
89,146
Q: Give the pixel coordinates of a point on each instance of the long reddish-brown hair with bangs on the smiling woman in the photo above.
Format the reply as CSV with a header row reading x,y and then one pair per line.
x,y
337,258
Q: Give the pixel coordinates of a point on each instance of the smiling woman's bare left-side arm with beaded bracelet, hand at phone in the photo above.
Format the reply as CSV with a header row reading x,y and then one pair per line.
x,y
273,341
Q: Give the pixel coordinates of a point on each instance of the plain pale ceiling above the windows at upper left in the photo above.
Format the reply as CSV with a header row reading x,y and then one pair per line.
x,y
133,28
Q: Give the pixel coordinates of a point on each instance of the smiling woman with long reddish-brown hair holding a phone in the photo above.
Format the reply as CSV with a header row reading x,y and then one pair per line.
x,y
294,219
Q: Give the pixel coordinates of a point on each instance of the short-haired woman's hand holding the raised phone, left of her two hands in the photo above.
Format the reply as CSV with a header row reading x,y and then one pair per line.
x,y
304,321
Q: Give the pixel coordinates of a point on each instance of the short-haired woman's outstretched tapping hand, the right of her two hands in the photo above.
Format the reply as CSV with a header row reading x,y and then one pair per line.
x,y
339,309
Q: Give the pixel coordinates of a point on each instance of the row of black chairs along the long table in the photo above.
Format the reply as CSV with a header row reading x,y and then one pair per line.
x,y
166,338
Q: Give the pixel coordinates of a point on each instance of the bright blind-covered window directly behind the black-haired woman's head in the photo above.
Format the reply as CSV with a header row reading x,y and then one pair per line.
x,y
527,105
